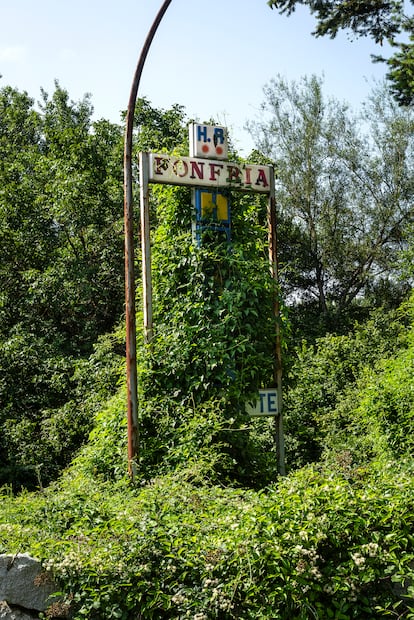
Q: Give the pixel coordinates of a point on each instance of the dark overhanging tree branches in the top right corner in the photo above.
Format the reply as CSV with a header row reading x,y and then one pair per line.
x,y
381,20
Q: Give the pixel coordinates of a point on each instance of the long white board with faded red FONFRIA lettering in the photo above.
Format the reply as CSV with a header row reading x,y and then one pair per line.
x,y
177,170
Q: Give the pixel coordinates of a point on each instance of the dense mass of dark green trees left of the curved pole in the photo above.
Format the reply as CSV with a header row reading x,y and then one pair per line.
x,y
61,227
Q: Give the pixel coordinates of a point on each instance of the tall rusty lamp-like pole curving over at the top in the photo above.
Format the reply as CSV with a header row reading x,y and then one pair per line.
x,y
131,337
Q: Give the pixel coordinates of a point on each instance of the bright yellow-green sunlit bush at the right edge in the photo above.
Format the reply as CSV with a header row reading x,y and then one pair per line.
x,y
375,418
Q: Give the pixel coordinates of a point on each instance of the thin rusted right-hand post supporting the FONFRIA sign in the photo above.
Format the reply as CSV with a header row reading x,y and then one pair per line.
x,y
274,269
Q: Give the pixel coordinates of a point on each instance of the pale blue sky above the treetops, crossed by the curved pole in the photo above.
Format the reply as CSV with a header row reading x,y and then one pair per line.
x,y
212,56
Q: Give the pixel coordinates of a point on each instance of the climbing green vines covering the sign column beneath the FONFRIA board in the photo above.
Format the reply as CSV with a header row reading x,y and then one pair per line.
x,y
213,307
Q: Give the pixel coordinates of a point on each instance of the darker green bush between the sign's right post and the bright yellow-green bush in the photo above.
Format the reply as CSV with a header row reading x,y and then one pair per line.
x,y
328,375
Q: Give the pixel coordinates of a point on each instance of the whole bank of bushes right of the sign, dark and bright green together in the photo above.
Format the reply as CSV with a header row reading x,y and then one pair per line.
x,y
352,395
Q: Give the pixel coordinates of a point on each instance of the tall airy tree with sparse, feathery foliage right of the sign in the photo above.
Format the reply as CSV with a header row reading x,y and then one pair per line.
x,y
344,197
